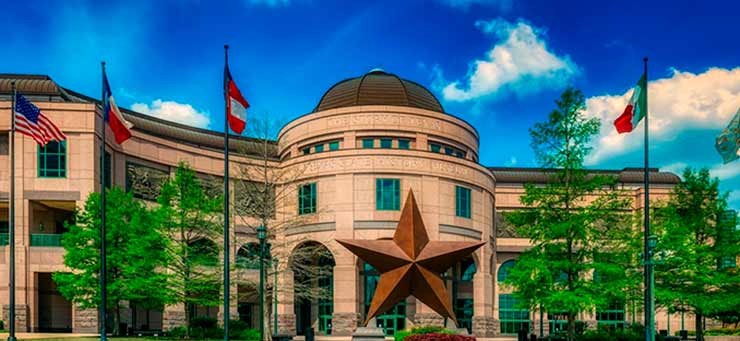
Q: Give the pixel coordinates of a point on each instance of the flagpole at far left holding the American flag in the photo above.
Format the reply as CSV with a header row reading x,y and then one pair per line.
x,y
11,233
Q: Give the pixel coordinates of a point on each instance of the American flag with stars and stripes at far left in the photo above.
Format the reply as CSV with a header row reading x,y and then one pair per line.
x,y
30,121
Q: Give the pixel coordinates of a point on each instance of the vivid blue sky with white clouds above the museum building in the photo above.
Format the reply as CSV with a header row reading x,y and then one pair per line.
x,y
499,64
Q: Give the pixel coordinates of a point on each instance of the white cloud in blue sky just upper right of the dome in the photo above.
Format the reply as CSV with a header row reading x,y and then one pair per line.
x,y
520,62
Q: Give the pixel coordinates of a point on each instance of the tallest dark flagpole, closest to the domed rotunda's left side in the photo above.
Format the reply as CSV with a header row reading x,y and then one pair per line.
x,y
226,201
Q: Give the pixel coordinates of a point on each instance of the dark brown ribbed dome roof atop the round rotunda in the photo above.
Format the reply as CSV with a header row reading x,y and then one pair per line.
x,y
378,87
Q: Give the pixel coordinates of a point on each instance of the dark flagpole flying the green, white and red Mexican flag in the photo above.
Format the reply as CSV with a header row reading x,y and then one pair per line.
x,y
649,305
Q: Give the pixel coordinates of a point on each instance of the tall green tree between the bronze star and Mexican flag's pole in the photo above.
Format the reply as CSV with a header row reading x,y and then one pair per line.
x,y
582,242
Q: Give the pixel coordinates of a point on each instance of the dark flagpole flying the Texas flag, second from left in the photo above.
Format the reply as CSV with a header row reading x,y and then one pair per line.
x,y
103,271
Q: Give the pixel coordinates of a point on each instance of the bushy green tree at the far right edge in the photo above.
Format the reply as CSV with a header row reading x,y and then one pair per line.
x,y
692,273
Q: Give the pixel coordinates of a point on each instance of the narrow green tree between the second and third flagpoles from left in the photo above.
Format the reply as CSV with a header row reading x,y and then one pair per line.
x,y
192,221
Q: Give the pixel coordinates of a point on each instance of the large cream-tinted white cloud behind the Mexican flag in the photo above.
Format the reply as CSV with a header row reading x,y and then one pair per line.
x,y
683,101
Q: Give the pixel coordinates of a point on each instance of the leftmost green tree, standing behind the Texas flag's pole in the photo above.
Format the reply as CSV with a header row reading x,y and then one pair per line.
x,y
135,256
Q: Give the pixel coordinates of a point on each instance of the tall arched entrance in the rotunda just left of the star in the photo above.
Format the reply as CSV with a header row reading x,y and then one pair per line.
x,y
313,281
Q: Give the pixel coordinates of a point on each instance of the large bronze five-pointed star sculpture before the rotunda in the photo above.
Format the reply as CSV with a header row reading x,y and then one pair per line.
x,y
410,264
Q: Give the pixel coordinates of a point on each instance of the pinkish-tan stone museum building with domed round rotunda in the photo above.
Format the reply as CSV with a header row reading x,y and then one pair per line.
x,y
369,140
